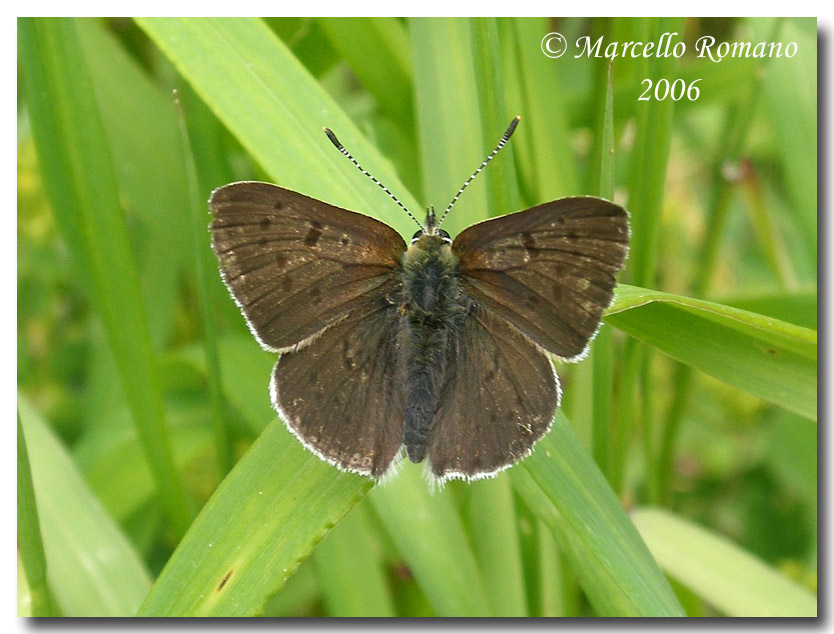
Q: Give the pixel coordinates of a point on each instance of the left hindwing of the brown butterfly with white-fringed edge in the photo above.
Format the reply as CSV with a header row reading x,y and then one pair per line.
x,y
342,393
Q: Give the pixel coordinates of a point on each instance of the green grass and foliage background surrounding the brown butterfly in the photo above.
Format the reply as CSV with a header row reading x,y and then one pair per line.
x,y
153,477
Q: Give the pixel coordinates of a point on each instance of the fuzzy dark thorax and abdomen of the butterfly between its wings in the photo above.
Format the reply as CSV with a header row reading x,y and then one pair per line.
x,y
432,311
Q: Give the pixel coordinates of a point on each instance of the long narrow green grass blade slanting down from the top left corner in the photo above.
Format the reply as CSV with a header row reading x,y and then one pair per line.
x,y
81,184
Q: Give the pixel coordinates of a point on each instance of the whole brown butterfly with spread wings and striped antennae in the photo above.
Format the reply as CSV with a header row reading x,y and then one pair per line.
x,y
441,347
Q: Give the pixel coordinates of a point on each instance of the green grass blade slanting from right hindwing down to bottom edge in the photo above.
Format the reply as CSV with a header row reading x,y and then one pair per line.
x,y
562,485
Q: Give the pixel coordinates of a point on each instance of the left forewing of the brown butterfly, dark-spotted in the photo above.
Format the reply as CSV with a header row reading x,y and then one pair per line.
x,y
295,264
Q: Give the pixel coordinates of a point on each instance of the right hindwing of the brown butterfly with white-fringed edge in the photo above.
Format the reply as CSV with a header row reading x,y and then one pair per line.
x,y
499,398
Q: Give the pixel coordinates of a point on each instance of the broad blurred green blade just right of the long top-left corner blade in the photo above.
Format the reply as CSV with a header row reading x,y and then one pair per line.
x,y
144,152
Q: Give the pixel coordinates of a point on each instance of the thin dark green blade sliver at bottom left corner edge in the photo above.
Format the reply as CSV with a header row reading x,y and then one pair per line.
x,y
29,542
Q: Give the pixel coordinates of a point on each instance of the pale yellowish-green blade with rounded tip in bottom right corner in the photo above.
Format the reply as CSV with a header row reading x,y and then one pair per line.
x,y
729,578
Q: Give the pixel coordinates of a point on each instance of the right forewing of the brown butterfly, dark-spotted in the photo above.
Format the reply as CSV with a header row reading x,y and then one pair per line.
x,y
549,270
